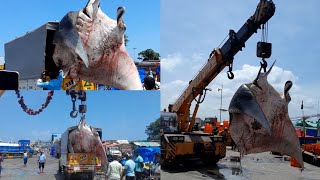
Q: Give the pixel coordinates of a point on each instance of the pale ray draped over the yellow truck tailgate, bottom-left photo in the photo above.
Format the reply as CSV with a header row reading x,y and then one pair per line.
x,y
85,139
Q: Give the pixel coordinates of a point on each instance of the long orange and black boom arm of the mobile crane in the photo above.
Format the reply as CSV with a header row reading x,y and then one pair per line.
x,y
218,60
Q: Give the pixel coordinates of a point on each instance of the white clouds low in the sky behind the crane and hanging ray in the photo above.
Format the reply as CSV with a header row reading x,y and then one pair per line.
x,y
173,86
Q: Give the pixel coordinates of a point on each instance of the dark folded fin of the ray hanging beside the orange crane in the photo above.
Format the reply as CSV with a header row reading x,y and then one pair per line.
x,y
245,102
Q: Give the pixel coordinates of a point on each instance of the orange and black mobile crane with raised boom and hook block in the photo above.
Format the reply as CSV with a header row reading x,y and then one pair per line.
x,y
179,141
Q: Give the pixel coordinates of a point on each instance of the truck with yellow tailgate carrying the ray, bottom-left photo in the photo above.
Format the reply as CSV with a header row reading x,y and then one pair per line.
x,y
77,164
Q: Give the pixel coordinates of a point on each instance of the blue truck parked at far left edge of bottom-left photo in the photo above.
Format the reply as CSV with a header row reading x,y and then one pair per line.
x,y
14,150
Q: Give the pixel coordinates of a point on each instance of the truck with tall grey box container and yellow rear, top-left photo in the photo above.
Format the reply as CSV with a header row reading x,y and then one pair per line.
x,y
31,56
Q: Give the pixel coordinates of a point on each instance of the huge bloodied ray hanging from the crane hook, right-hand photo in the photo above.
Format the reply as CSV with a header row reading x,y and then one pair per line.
x,y
259,119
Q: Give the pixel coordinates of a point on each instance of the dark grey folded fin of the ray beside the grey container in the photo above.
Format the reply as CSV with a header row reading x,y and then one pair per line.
x,y
68,36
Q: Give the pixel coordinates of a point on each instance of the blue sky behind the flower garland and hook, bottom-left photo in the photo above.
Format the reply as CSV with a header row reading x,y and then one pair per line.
x,y
120,114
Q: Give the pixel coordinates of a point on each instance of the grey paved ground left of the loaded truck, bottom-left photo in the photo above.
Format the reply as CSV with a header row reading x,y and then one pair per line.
x,y
14,169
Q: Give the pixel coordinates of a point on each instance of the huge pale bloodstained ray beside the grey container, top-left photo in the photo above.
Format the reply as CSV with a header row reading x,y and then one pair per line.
x,y
90,46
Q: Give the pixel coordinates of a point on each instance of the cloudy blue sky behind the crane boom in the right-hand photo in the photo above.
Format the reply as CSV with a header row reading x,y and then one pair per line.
x,y
190,30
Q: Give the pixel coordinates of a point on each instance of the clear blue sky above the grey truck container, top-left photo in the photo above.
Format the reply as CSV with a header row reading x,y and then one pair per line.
x,y
142,19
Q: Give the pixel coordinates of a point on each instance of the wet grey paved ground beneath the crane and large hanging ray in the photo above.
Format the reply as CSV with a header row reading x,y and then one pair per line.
x,y
255,166
